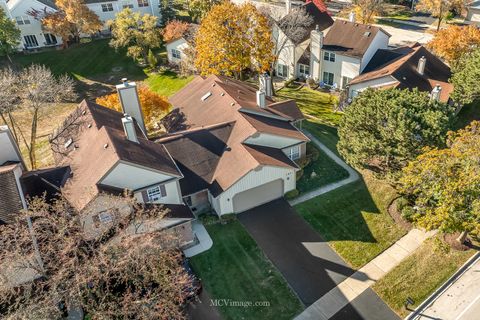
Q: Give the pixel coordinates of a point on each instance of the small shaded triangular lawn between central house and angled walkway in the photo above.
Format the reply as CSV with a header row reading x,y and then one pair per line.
x,y
325,169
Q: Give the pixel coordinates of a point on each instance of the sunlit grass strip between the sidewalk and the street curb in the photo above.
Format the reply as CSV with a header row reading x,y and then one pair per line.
x,y
420,275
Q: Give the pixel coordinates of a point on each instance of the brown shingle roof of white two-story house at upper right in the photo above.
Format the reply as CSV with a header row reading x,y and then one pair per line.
x,y
350,38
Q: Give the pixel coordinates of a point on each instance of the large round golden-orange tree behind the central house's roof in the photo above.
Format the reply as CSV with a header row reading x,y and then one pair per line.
x,y
232,39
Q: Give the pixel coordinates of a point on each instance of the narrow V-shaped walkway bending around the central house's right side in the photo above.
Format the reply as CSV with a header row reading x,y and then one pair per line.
x,y
352,174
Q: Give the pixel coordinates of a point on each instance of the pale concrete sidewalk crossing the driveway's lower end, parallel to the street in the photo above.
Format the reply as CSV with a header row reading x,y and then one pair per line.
x,y
337,298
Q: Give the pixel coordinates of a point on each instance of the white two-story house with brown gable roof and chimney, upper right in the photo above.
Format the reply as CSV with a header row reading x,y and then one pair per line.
x,y
345,51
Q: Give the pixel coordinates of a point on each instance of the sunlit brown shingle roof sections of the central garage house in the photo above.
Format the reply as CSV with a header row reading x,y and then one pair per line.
x,y
228,101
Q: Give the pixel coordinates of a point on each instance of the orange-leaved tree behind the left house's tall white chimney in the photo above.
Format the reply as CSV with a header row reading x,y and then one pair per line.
x,y
154,106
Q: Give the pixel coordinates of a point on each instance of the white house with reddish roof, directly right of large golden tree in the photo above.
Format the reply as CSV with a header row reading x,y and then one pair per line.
x,y
294,53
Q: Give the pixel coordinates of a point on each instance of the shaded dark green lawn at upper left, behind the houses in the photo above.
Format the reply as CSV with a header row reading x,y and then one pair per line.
x,y
88,60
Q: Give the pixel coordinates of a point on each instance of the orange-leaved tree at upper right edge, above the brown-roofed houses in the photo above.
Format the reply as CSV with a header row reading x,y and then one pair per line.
x,y
453,42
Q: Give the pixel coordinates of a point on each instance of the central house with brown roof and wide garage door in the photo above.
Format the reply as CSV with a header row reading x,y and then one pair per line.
x,y
235,147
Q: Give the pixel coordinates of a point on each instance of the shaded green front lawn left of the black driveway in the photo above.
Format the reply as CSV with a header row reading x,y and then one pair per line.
x,y
235,268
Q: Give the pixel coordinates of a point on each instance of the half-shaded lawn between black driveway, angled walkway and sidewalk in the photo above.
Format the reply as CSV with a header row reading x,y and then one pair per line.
x,y
354,219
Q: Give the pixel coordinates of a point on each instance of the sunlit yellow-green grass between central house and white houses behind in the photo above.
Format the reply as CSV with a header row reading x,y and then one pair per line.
x,y
314,104
